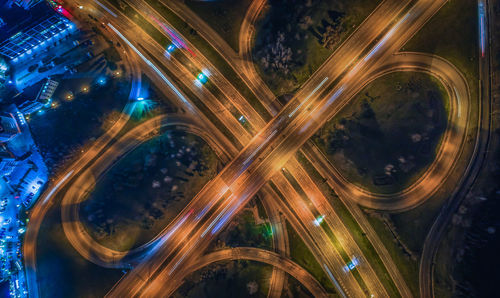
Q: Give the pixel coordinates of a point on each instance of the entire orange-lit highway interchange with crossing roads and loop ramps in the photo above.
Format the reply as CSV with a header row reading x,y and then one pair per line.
x,y
264,153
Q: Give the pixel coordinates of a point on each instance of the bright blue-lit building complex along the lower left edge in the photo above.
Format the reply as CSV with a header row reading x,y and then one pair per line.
x,y
23,174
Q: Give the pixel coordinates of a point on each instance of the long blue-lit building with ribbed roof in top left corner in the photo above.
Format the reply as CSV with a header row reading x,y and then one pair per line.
x,y
35,42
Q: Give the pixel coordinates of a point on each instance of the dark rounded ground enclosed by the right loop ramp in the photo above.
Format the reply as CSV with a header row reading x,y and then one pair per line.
x,y
390,132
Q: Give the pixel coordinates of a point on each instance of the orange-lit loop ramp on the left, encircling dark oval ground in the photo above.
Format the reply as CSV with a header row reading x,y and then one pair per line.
x,y
74,230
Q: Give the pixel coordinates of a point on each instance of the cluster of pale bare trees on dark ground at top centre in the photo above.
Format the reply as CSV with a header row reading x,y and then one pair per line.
x,y
284,43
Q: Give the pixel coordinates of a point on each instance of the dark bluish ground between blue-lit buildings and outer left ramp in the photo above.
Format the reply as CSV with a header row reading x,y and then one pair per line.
x,y
62,130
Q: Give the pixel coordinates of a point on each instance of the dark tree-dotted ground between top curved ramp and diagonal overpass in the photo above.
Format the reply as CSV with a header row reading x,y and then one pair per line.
x,y
294,37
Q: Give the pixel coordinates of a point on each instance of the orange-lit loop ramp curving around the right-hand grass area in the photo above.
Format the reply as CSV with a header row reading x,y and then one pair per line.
x,y
449,150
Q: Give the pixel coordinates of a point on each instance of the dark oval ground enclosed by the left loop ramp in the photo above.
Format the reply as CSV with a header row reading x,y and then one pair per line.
x,y
147,188
